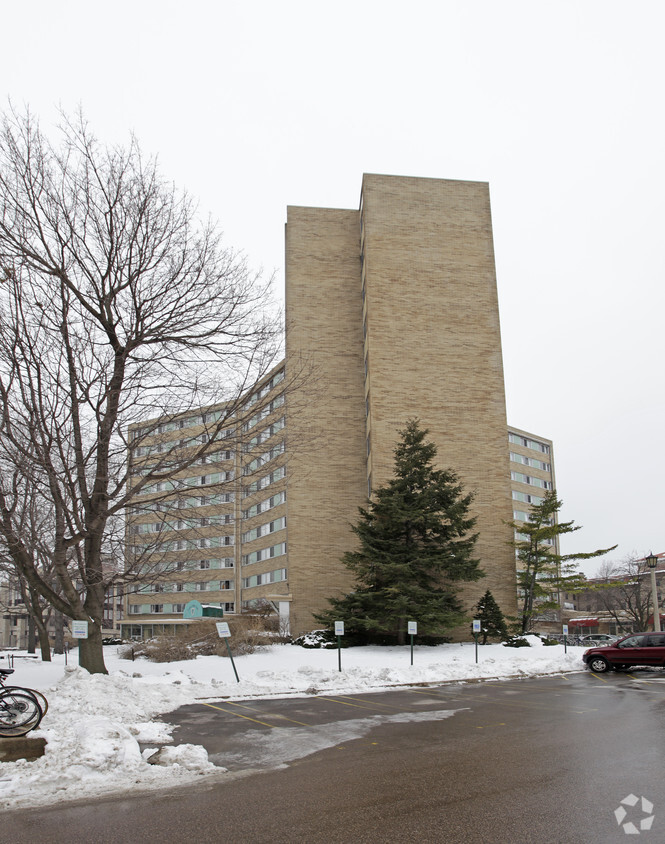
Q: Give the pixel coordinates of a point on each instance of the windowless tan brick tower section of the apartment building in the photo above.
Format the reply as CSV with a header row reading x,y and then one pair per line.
x,y
395,308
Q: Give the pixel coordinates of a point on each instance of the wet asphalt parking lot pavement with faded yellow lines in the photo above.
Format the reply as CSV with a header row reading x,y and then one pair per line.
x,y
535,760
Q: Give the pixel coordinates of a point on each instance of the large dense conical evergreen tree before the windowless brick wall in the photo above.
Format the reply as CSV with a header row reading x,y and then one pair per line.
x,y
415,546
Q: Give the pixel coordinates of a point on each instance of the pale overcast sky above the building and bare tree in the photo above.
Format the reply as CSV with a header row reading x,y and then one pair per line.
x,y
253,106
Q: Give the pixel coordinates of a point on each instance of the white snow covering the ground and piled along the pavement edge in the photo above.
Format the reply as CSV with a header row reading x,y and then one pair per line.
x,y
95,722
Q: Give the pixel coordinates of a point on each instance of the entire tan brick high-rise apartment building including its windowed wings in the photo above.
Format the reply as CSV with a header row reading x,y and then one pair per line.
x,y
391,314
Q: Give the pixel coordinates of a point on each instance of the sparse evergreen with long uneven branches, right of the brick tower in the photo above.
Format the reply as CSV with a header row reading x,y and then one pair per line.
x,y
542,573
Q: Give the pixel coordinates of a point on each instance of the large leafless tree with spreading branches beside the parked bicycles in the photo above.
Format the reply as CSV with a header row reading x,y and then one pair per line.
x,y
118,305
